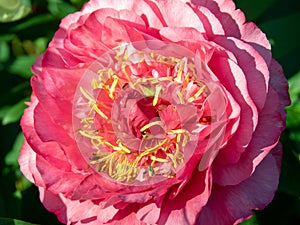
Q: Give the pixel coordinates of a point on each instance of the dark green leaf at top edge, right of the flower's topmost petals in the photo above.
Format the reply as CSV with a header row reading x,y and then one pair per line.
x,y
253,8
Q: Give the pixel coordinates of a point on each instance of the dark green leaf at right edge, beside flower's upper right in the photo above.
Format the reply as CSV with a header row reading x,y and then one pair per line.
x,y
284,33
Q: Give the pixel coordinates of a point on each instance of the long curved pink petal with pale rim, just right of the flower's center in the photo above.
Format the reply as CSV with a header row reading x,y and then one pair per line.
x,y
233,79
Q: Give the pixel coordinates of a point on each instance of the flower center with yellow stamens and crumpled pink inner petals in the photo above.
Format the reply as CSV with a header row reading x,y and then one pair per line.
x,y
137,114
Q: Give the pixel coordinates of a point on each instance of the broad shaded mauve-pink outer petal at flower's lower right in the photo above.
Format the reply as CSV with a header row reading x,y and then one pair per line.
x,y
236,203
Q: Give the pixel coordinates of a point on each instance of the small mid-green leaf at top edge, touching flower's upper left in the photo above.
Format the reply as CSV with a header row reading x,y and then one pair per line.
x,y
60,8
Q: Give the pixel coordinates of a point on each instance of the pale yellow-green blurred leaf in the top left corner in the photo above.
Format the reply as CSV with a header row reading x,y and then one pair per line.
x,y
12,10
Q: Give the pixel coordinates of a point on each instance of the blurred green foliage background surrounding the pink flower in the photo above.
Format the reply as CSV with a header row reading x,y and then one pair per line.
x,y
27,26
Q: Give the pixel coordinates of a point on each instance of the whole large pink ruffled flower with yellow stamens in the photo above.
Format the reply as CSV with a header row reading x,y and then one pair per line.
x,y
155,112
